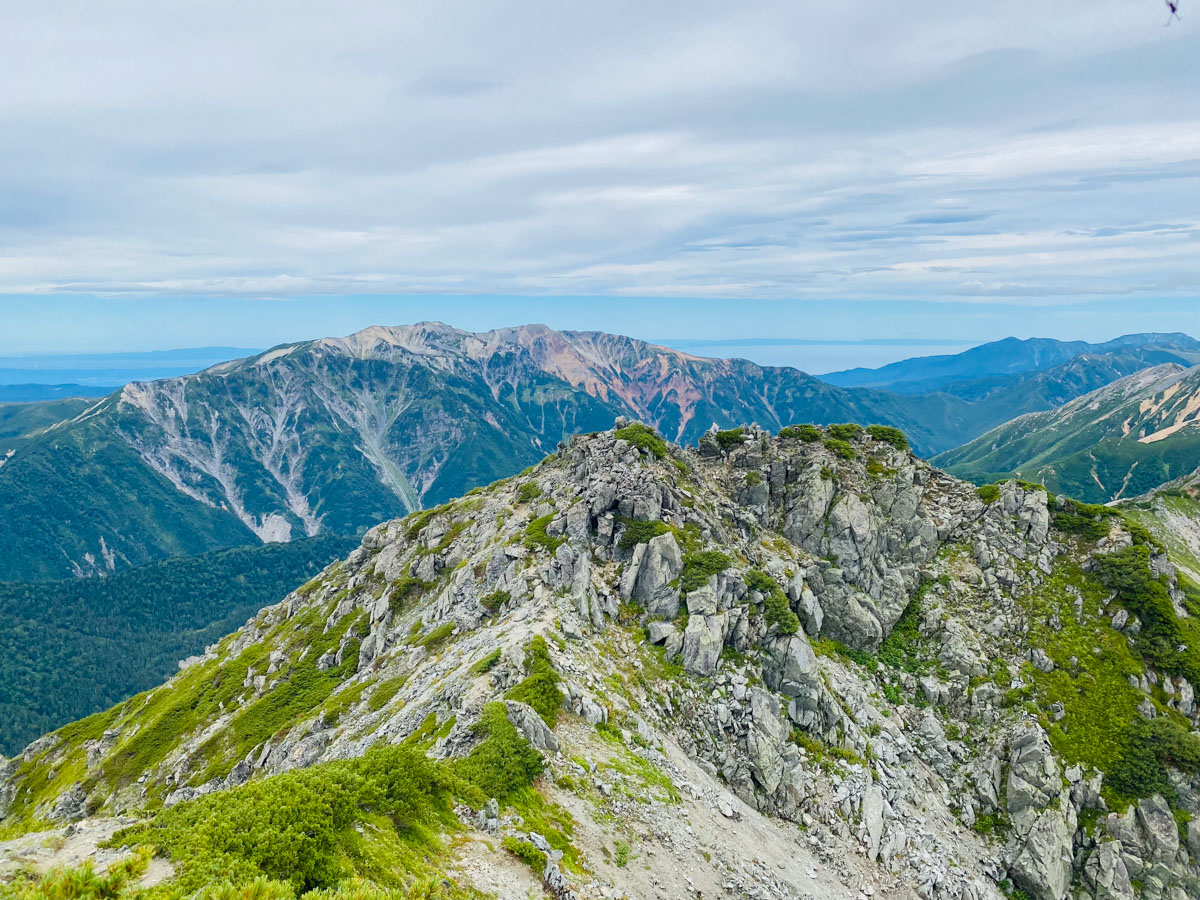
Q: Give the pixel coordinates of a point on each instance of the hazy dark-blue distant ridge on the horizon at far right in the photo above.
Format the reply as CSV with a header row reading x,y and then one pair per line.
x,y
1012,357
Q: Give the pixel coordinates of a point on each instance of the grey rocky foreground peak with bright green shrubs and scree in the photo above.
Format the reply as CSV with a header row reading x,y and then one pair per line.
x,y
806,665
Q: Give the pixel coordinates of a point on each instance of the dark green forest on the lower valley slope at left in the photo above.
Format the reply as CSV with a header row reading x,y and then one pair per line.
x,y
70,649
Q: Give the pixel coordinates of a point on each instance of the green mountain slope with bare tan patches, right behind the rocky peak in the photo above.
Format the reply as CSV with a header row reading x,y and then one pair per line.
x,y
1117,442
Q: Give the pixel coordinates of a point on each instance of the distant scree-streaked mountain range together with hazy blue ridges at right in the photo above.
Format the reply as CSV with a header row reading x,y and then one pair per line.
x,y
335,435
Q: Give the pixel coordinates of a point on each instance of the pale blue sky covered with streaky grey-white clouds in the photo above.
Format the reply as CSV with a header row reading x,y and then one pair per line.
x,y
766,176
